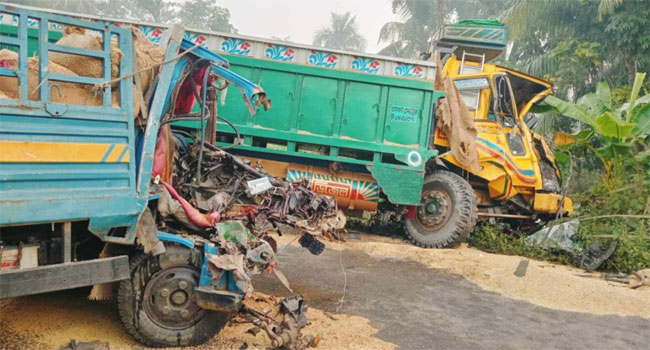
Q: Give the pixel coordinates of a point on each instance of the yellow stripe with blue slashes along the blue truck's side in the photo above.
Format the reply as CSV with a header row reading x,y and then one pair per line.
x,y
61,152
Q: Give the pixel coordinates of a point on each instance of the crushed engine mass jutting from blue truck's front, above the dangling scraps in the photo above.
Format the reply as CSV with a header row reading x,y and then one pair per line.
x,y
237,190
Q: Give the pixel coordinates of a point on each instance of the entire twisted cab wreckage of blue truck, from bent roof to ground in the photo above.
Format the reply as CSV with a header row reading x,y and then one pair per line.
x,y
228,205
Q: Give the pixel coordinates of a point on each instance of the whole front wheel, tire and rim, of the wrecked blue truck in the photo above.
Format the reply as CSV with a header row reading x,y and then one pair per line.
x,y
157,306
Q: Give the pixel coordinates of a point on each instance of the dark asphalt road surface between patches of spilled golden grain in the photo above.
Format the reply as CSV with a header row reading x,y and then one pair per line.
x,y
416,307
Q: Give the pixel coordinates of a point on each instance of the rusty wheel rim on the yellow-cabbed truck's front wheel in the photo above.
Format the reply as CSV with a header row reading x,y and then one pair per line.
x,y
434,211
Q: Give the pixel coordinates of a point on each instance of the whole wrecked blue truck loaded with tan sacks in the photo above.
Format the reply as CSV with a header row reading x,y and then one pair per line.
x,y
100,187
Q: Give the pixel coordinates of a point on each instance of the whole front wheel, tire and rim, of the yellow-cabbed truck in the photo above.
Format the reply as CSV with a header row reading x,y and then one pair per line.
x,y
447,213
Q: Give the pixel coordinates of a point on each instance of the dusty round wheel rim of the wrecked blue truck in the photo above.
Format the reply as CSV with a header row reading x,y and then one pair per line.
x,y
168,298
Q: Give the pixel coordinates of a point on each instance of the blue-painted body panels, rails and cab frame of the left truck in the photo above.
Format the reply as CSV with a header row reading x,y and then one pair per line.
x,y
63,163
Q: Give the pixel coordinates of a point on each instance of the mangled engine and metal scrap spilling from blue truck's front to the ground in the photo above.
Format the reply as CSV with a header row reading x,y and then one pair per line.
x,y
230,207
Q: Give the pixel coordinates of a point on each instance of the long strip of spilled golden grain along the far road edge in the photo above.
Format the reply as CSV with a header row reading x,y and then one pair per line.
x,y
545,284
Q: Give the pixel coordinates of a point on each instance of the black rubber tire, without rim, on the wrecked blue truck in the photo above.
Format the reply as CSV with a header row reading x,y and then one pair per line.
x,y
138,322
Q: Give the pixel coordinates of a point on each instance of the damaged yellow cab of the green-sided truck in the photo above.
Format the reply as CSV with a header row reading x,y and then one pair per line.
x,y
518,177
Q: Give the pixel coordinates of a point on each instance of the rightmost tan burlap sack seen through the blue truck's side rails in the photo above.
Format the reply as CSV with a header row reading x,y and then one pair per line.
x,y
84,65
